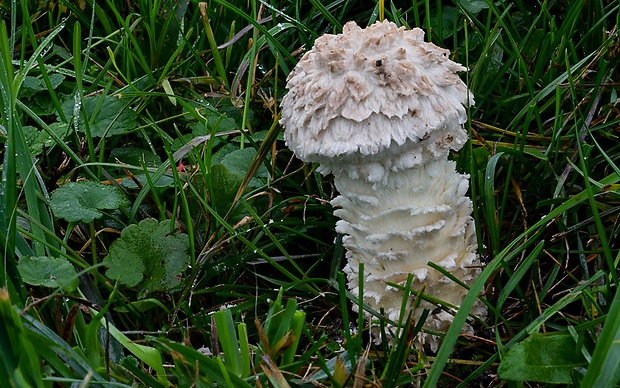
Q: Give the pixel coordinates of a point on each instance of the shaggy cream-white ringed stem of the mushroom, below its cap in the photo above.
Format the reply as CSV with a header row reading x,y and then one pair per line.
x,y
396,227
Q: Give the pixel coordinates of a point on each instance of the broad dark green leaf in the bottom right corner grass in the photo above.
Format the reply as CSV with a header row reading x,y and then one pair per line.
x,y
542,358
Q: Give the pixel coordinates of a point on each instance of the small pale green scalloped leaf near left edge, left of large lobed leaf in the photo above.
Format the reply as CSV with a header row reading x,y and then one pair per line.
x,y
49,272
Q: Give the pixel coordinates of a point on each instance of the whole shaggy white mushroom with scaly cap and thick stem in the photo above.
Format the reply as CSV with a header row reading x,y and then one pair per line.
x,y
380,109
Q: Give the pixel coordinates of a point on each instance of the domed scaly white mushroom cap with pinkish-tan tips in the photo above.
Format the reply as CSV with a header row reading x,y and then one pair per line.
x,y
360,93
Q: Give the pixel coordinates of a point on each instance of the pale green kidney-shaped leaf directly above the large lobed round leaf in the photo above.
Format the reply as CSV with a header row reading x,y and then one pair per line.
x,y
83,201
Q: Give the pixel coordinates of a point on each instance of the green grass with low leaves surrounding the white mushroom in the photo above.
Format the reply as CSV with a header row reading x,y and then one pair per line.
x,y
173,108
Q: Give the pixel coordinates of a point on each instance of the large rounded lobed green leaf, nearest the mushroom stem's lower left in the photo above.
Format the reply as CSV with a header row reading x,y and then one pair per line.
x,y
148,257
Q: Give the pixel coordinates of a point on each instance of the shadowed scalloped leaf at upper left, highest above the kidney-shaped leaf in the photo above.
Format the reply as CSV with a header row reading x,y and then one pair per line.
x,y
107,118
